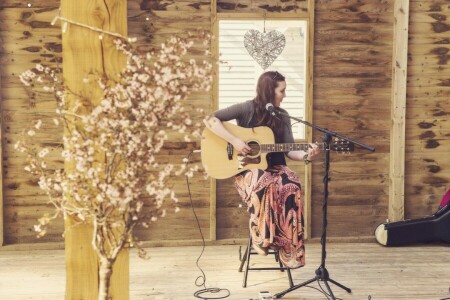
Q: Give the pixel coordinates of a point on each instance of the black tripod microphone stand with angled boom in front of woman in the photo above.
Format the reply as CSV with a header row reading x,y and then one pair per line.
x,y
322,272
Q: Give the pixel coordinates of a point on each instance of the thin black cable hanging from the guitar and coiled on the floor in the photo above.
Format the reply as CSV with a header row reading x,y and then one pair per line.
x,y
200,281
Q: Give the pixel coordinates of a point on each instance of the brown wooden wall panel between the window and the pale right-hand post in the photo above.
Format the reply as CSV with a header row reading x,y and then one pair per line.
x,y
352,82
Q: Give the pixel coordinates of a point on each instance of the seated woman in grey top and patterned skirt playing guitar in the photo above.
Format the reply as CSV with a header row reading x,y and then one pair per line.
x,y
274,195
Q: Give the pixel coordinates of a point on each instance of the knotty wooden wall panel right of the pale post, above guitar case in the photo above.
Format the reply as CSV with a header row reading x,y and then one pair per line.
x,y
427,174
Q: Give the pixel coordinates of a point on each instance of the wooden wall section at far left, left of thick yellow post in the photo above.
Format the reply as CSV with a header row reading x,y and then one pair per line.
x,y
27,39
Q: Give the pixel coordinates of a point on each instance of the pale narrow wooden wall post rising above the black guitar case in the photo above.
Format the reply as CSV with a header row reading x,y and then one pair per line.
x,y
398,111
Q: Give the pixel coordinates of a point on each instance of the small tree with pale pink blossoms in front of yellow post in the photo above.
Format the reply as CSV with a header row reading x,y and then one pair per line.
x,y
117,182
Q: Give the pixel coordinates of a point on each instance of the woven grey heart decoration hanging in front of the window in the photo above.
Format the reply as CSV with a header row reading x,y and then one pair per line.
x,y
264,47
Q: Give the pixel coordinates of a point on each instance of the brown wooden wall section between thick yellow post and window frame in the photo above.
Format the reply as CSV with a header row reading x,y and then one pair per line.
x,y
152,22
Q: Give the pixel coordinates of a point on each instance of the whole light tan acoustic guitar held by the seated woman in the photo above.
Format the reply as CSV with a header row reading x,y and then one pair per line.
x,y
220,159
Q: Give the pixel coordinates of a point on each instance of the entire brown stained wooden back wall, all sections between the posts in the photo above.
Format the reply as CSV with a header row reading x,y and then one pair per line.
x,y
352,95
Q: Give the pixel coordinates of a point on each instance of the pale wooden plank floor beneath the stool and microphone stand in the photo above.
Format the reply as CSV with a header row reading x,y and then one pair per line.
x,y
371,271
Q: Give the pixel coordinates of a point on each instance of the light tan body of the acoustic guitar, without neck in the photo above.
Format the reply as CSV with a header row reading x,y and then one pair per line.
x,y
221,160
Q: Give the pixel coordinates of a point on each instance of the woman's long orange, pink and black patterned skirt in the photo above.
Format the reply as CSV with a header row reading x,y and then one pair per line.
x,y
275,203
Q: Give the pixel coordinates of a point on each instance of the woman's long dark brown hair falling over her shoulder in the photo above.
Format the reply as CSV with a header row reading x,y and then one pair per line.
x,y
265,93
